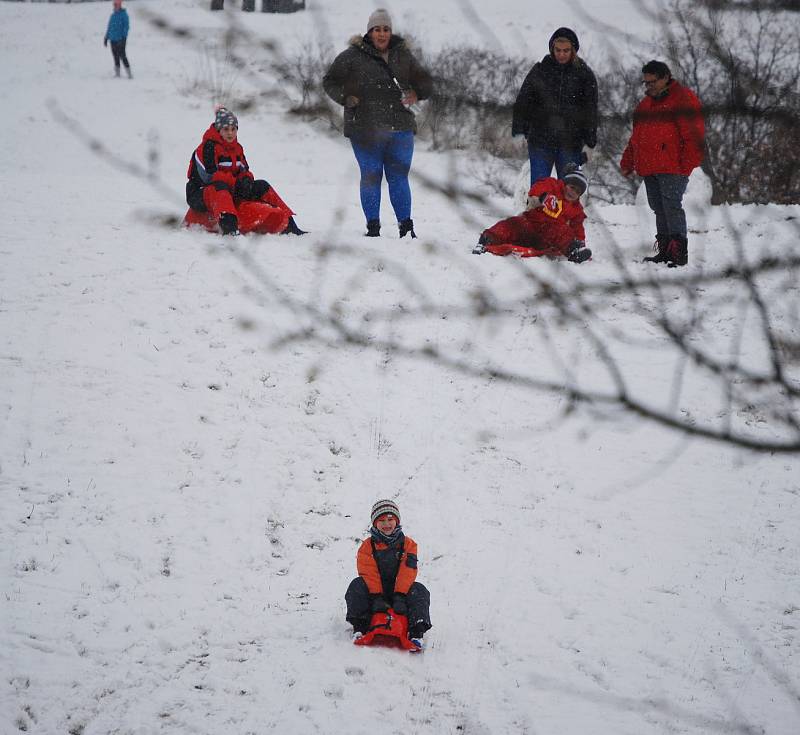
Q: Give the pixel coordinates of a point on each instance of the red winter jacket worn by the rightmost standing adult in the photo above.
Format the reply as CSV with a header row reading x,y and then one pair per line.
x,y
667,135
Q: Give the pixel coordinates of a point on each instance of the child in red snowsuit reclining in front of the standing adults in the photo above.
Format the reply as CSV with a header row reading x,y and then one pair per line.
x,y
552,225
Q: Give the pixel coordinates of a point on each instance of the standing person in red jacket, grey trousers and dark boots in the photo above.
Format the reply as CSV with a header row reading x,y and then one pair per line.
x,y
666,145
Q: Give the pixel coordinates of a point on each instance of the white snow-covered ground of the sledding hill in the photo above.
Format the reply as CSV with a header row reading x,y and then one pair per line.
x,y
181,502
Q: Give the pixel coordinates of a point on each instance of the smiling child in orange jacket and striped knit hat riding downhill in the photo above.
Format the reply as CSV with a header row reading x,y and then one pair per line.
x,y
387,573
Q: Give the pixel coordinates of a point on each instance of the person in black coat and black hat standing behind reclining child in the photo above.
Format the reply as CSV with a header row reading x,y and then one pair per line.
x,y
556,108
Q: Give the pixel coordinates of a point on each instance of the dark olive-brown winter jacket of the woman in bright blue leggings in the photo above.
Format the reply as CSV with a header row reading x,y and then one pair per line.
x,y
361,72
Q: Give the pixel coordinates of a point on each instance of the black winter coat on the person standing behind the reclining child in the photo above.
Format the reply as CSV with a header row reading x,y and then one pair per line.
x,y
557,105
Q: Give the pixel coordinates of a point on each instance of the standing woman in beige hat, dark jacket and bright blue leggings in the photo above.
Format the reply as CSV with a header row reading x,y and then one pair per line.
x,y
377,80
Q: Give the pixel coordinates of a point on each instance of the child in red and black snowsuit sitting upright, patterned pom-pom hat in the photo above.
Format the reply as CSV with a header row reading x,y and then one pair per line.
x,y
223,194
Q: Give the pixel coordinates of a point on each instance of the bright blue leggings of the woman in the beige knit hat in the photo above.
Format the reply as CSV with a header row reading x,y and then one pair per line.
x,y
388,151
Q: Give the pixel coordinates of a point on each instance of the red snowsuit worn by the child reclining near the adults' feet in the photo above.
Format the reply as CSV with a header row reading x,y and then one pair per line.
x,y
546,230
